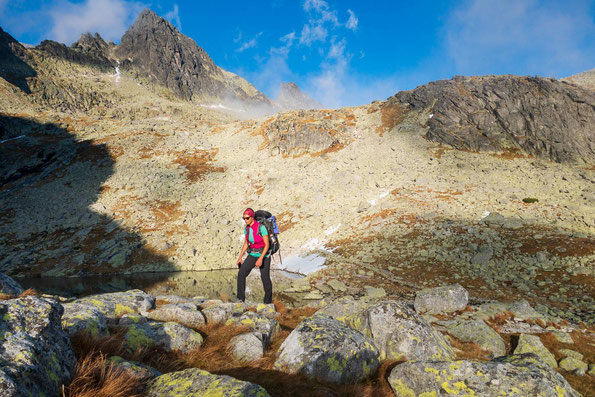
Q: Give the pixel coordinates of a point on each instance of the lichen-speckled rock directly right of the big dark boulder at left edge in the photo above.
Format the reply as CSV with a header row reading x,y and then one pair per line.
x,y
84,318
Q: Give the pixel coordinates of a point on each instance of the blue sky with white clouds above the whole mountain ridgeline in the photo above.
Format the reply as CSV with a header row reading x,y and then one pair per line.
x,y
347,52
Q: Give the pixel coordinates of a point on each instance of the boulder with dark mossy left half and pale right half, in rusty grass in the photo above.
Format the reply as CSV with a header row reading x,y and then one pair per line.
x,y
172,337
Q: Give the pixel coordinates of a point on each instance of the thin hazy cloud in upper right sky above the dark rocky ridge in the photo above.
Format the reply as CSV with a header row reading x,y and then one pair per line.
x,y
521,36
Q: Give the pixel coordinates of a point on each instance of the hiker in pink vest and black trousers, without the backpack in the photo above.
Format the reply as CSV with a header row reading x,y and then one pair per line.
x,y
256,244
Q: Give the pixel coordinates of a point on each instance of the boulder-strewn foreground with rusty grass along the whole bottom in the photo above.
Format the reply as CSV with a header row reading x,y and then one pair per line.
x,y
139,344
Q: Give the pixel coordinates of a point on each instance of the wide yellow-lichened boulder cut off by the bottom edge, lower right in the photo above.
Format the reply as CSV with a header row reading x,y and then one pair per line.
x,y
517,375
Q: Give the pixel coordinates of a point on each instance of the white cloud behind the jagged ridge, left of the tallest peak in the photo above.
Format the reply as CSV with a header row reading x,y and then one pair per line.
x,y
110,18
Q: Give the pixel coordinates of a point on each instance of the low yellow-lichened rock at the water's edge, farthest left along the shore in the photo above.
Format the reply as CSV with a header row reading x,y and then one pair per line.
x,y
114,305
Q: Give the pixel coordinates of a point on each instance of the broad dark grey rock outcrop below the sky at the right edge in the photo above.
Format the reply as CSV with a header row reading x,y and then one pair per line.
x,y
541,116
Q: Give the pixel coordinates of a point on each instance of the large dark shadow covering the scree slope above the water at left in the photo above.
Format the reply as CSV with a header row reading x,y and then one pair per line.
x,y
51,223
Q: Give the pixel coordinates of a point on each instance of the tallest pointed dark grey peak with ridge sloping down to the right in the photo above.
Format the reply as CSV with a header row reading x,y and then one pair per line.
x,y
155,47
